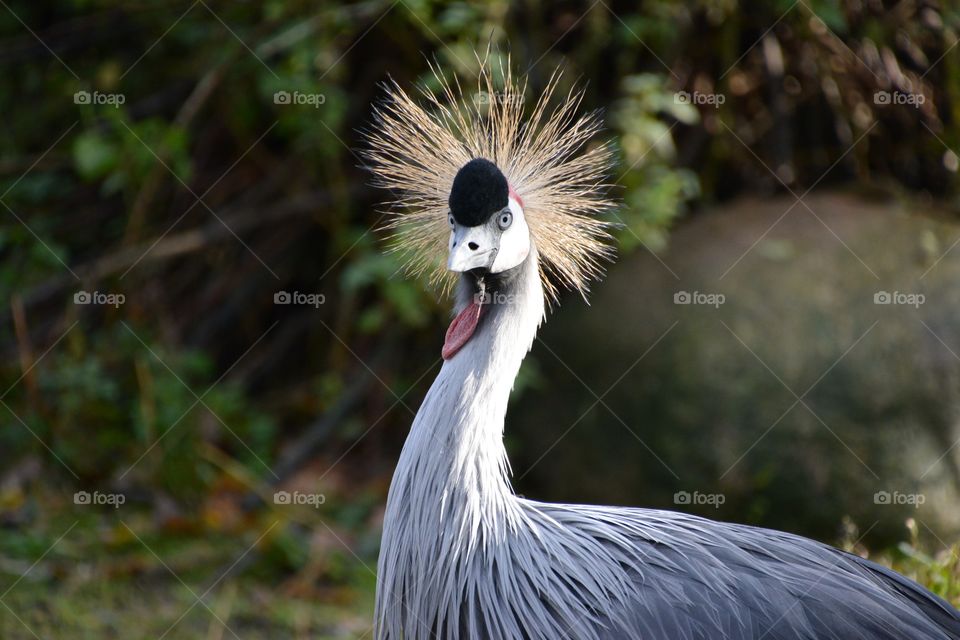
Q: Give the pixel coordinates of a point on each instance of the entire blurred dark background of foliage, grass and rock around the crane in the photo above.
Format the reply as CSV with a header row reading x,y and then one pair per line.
x,y
797,158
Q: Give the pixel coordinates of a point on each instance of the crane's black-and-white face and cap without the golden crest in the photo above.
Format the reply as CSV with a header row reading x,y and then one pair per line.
x,y
488,230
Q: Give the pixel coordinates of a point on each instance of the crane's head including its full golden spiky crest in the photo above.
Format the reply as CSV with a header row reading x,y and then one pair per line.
x,y
456,165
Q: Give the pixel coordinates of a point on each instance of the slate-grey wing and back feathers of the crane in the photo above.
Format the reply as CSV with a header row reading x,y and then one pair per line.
x,y
699,579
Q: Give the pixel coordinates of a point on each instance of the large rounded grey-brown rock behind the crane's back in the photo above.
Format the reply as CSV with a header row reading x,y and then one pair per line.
x,y
713,407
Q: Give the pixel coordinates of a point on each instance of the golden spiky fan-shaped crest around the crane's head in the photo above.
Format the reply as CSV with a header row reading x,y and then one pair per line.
x,y
416,151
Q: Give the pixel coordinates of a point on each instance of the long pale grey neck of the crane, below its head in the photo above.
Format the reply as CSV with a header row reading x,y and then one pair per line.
x,y
454,458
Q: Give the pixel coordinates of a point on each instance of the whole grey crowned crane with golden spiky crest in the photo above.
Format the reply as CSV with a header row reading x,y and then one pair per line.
x,y
510,204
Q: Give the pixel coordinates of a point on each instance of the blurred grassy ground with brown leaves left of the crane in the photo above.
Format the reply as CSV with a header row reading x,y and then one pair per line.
x,y
103,573
